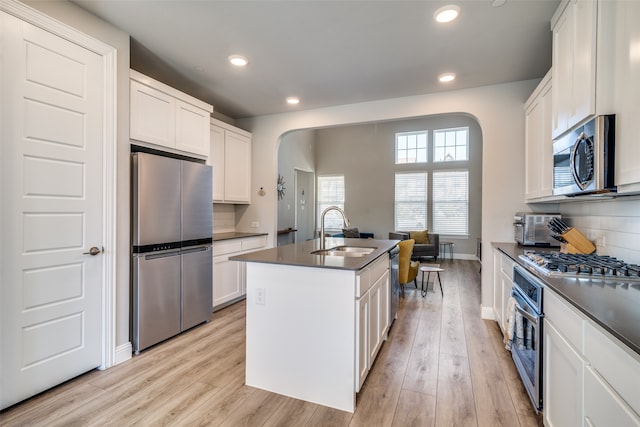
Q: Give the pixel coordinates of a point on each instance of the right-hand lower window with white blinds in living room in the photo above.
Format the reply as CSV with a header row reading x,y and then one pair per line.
x,y
451,202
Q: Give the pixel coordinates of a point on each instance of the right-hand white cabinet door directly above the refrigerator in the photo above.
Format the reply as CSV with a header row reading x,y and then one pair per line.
x,y
192,129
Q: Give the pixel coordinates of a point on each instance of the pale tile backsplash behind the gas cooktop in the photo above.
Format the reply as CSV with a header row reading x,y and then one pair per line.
x,y
613,225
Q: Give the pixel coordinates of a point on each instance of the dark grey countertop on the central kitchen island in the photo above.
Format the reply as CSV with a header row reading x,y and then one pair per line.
x,y
299,254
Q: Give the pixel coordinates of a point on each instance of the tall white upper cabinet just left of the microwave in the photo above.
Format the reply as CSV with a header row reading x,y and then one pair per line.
x,y
538,142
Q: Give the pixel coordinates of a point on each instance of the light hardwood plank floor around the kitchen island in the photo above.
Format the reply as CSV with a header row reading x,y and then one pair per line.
x,y
441,366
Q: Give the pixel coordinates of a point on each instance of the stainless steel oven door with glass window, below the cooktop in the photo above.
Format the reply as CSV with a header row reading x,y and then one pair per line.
x,y
526,348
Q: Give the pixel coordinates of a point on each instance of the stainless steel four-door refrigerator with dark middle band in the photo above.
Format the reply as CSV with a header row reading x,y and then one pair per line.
x,y
172,225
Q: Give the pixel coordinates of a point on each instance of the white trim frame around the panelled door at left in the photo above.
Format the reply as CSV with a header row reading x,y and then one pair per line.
x,y
109,57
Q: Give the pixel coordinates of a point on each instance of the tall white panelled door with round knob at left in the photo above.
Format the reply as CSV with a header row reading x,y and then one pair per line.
x,y
52,204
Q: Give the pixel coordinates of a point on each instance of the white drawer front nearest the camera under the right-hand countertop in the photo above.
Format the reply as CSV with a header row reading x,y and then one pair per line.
x,y
617,366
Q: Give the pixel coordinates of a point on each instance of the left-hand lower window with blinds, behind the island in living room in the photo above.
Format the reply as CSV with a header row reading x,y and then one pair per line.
x,y
411,201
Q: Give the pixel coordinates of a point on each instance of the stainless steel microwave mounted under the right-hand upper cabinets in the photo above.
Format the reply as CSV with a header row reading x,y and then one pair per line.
x,y
584,159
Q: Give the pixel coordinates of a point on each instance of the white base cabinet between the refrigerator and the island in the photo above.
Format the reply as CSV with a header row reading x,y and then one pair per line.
x,y
229,281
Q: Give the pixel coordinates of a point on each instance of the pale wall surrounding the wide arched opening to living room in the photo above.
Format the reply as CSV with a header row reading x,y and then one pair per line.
x,y
498,109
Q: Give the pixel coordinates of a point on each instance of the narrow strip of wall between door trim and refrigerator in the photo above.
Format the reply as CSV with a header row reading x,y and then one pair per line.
x,y
87,23
